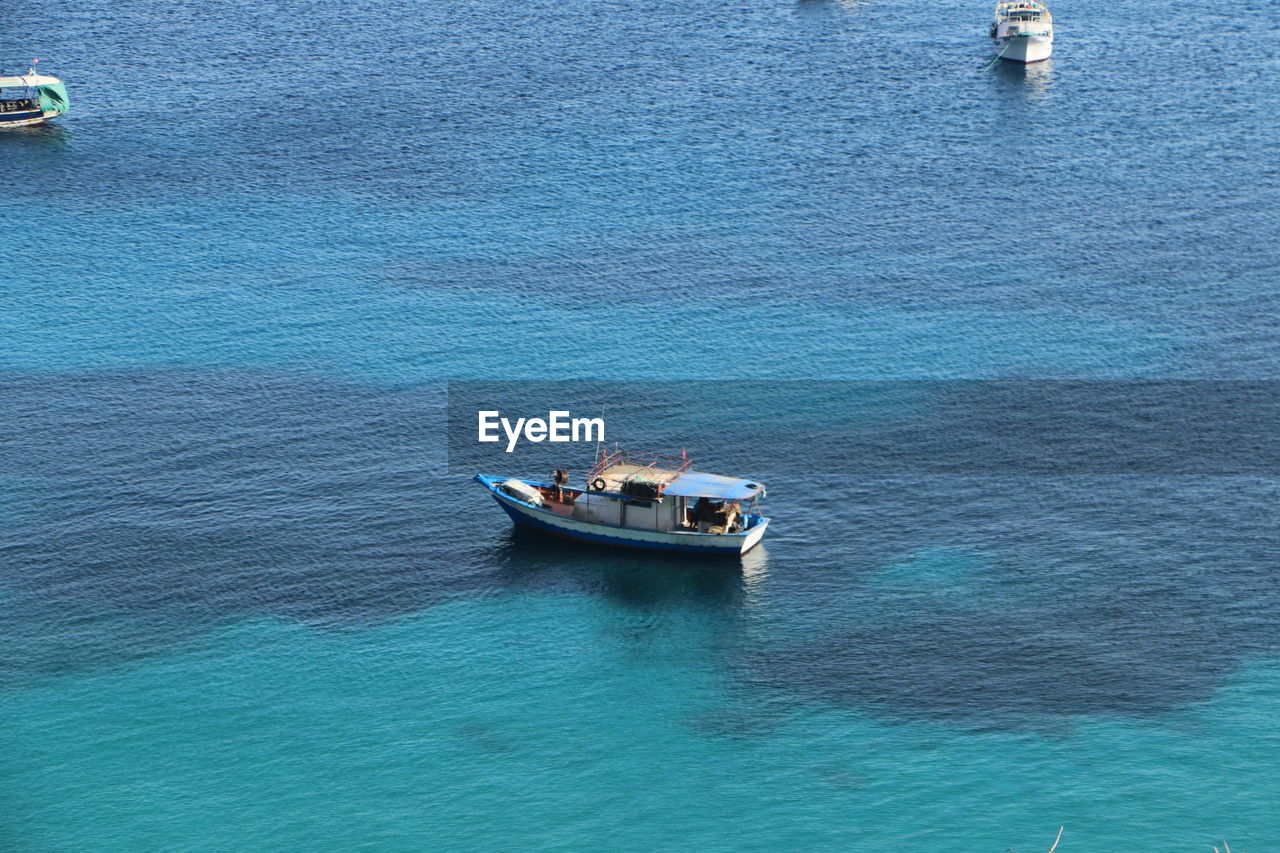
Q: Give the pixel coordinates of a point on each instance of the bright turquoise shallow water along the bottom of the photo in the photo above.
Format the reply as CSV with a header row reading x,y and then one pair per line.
x,y
628,736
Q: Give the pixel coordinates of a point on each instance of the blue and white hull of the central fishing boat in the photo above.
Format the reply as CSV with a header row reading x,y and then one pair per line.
x,y
689,542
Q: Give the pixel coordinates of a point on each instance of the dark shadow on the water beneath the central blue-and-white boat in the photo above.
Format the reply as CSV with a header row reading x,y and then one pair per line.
x,y
532,559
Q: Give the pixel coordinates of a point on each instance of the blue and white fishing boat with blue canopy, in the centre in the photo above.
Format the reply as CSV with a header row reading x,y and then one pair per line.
x,y
641,501
